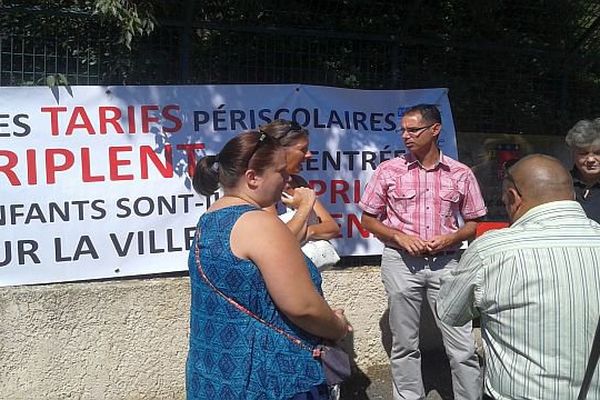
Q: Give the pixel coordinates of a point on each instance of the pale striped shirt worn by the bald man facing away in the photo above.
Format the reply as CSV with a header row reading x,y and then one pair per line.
x,y
536,287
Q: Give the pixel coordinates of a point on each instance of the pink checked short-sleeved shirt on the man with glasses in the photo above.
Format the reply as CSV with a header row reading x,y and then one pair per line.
x,y
425,203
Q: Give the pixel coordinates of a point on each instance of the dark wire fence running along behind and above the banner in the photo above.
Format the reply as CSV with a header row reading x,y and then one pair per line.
x,y
530,68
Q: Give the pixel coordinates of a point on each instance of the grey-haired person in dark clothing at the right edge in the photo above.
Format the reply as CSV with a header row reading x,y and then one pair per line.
x,y
584,141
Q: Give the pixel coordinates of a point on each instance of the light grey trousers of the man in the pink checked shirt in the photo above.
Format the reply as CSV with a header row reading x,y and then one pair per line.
x,y
407,280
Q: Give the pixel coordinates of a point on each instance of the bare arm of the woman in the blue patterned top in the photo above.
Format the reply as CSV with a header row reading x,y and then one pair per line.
x,y
264,239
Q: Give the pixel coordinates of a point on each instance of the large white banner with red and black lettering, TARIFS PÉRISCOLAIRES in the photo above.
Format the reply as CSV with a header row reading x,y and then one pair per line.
x,y
95,180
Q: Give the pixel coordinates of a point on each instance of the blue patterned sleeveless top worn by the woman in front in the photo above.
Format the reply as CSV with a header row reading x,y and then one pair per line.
x,y
231,355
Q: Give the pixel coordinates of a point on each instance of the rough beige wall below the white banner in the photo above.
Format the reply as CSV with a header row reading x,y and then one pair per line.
x,y
128,339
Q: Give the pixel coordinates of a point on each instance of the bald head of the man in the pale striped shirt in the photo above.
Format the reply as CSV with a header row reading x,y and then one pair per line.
x,y
542,179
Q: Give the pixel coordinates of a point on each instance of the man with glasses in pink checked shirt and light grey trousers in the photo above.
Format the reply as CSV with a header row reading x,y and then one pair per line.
x,y
422,206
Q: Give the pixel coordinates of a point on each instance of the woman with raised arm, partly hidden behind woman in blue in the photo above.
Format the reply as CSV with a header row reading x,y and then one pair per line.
x,y
309,219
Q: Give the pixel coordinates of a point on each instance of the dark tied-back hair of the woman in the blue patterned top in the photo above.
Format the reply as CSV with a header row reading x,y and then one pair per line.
x,y
248,150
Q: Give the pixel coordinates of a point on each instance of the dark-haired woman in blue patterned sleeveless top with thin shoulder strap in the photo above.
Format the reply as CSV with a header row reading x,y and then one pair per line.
x,y
245,256
